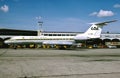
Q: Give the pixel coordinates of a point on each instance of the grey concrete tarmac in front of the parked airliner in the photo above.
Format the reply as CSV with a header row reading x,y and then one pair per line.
x,y
52,63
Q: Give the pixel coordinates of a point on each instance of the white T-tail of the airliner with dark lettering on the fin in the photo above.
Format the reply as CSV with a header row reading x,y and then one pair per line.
x,y
95,30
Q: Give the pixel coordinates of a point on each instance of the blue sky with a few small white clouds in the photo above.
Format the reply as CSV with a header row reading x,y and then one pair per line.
x,y
59,15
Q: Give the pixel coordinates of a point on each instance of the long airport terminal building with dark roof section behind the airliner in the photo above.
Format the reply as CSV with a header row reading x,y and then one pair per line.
x,y
105,39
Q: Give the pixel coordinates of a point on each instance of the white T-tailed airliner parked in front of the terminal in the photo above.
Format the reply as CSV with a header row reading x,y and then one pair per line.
x,y
92,33
